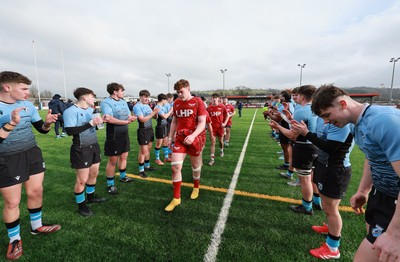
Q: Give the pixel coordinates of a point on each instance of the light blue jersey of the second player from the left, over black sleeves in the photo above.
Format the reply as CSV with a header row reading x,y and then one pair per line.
x,y
75,116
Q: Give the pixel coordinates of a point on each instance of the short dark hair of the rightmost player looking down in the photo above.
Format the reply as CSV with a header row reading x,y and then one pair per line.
x,y
324,97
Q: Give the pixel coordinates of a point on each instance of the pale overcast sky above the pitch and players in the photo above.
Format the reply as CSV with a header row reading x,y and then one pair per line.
x,y
259,42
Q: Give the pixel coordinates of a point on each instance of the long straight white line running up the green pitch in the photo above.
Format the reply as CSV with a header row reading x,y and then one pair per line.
x,y
212,250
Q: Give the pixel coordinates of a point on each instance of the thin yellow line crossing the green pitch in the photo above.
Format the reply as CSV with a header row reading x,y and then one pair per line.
x,y
237,192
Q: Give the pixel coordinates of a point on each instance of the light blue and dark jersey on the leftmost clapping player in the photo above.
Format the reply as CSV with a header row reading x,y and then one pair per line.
x,y
22,137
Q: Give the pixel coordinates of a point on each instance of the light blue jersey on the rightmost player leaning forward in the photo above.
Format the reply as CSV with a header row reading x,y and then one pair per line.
x,y
377,135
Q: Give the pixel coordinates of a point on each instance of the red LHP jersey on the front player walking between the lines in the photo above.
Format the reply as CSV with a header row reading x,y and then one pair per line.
x,y
187,113
